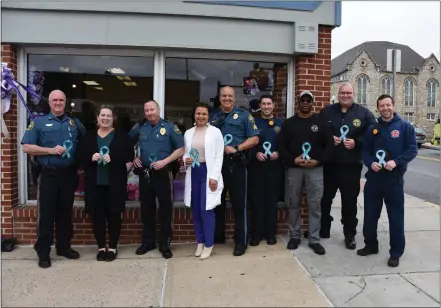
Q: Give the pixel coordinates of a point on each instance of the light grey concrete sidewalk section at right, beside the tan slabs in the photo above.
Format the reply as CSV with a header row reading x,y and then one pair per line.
x,y
349,280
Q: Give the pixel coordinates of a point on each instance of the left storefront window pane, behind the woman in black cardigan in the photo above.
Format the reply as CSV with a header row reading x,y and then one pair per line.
x,y
124,82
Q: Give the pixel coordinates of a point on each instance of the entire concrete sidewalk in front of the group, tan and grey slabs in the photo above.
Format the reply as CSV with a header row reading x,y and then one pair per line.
x,y
266,276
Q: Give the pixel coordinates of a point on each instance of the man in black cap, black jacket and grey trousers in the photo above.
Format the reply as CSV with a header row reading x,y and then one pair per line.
x,y
304,144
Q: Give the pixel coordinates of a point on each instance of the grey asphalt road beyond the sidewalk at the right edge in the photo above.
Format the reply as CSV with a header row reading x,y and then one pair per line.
x,y
422,179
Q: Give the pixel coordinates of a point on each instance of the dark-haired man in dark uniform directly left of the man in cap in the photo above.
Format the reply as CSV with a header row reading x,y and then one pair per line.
x,y
265,175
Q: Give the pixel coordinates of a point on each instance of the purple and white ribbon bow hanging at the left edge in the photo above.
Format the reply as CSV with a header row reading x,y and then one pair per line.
x,y
8,87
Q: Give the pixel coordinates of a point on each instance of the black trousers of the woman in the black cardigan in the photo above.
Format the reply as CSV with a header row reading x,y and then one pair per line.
x,y
103,214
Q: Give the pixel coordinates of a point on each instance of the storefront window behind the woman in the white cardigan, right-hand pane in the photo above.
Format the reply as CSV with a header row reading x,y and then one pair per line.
x,y
189,81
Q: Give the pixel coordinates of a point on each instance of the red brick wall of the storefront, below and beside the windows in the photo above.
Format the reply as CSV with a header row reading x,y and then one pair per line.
x,y
312,73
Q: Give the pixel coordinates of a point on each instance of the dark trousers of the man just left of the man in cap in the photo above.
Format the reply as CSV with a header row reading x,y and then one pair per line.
x,y
265,185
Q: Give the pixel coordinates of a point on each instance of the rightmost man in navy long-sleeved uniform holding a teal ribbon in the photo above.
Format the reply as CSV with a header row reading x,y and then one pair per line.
x,y
389,146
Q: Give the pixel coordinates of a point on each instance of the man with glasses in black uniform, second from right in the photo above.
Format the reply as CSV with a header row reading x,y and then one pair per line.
x,y
348,122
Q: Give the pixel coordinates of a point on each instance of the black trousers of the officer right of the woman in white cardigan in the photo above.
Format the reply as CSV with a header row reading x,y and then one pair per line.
x,y
234,174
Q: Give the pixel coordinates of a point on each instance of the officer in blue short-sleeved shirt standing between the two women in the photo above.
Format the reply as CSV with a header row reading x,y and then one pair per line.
x,y
161,143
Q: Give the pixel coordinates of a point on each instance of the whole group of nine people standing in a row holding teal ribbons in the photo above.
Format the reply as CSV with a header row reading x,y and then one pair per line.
x,y
231,152
